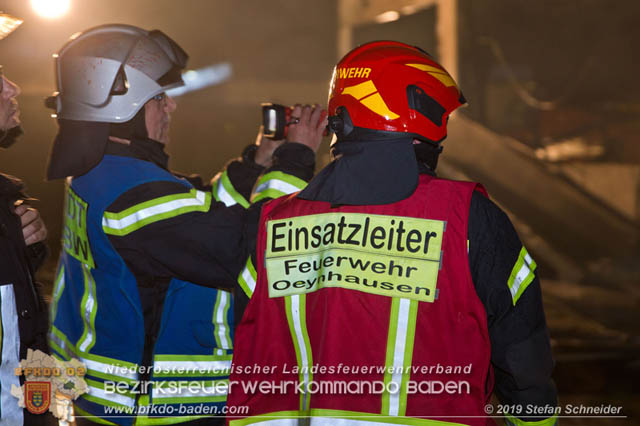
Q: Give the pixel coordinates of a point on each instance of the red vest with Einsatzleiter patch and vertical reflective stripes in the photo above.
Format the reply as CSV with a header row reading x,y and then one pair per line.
x,y
371,309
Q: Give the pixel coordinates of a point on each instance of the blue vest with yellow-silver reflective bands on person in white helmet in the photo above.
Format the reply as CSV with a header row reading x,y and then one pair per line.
x,y
96,311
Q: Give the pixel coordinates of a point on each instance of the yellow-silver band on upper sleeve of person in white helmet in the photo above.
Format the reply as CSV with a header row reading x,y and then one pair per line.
x,y
162,208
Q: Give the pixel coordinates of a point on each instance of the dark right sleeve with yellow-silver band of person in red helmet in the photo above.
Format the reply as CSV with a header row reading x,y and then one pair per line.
x,y
506,281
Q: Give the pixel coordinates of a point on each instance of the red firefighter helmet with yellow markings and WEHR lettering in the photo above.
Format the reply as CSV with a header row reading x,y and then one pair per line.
x,y
387,86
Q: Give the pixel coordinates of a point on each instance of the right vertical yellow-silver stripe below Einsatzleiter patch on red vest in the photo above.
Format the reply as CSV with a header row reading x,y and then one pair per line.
x,y
402,327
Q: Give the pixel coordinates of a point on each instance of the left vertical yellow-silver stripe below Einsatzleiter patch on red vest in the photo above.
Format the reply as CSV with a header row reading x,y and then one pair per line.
x,y
297,318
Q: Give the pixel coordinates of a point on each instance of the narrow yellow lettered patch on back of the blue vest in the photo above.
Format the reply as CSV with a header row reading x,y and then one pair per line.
x,y
74,235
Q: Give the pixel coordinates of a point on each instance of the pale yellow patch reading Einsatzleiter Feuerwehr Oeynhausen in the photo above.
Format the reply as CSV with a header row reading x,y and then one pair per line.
x,y
384,255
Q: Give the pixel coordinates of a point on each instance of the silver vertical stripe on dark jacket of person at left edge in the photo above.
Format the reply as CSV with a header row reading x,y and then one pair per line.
x,y
10,412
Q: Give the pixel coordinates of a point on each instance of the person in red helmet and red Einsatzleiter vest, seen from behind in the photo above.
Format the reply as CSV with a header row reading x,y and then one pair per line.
x,y
387,294
